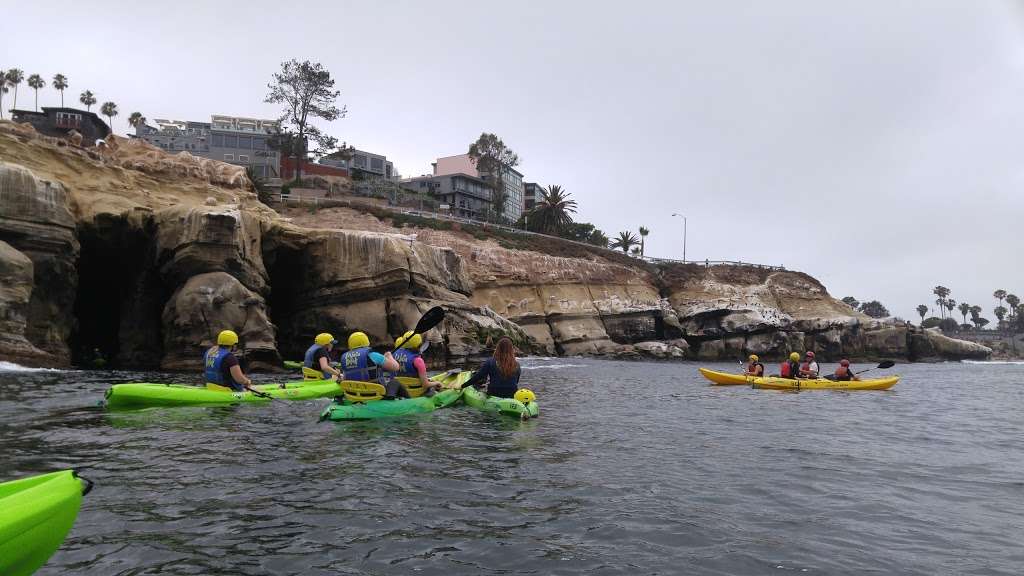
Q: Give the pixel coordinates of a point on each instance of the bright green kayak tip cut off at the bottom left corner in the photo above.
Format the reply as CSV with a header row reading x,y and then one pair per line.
x,y
36,514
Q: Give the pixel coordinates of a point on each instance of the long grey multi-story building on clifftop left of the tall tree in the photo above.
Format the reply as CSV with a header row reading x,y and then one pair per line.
x,y
234,140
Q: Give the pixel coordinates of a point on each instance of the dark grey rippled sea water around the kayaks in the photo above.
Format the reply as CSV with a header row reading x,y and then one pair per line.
x,y
631,469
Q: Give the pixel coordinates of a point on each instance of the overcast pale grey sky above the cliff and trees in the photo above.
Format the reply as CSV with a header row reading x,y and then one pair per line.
x,y
874,145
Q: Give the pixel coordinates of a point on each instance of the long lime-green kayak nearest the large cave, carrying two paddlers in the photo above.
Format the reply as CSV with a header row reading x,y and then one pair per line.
x,y
146,395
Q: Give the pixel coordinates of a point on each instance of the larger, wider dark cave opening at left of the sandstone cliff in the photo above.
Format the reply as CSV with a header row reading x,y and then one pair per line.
x,y
119,299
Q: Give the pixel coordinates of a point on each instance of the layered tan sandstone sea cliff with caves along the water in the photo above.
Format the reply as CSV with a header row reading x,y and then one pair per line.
x,y
146,256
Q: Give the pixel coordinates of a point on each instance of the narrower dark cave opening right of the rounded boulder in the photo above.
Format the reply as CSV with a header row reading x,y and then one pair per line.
x,y
285,269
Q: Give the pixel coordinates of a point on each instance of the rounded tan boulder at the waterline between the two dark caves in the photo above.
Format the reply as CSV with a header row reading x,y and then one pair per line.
x,y
206,305
